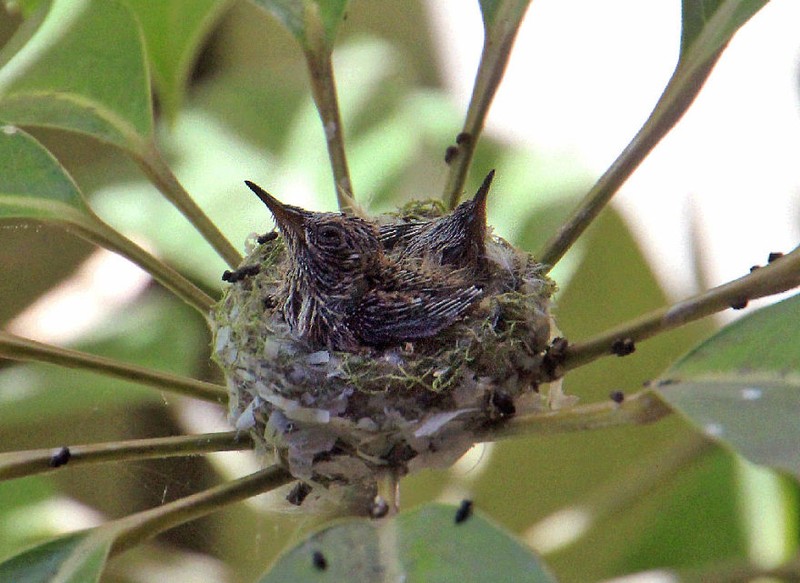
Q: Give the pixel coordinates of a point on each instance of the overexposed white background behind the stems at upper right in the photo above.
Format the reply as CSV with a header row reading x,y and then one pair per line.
x,y
584,76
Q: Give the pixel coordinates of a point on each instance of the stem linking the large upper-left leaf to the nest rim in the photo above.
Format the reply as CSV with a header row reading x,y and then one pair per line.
x,y
159,173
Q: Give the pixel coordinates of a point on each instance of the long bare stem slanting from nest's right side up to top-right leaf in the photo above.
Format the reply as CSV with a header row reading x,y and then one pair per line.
x,y
680,92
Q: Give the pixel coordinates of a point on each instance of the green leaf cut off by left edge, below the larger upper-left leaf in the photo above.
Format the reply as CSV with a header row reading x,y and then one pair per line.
x,y
33,184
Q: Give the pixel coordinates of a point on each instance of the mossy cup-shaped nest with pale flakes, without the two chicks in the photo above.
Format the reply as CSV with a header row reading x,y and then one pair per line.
x,y
338,418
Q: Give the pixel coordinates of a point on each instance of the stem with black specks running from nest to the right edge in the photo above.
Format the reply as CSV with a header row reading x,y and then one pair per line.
x,y
779,276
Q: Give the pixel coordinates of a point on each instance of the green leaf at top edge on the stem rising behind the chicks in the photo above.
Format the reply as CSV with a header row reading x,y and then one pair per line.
x,y
312,22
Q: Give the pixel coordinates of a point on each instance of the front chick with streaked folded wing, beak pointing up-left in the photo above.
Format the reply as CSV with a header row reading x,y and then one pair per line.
x,y
342,292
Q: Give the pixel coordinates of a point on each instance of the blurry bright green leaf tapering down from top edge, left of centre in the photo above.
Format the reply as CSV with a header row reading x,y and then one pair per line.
x,y
174,31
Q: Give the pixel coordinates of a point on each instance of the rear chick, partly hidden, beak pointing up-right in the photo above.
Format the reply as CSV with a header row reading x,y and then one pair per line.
x,y
457,239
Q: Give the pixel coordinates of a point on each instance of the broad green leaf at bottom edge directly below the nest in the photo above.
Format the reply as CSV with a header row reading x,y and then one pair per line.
x,y
425,544
